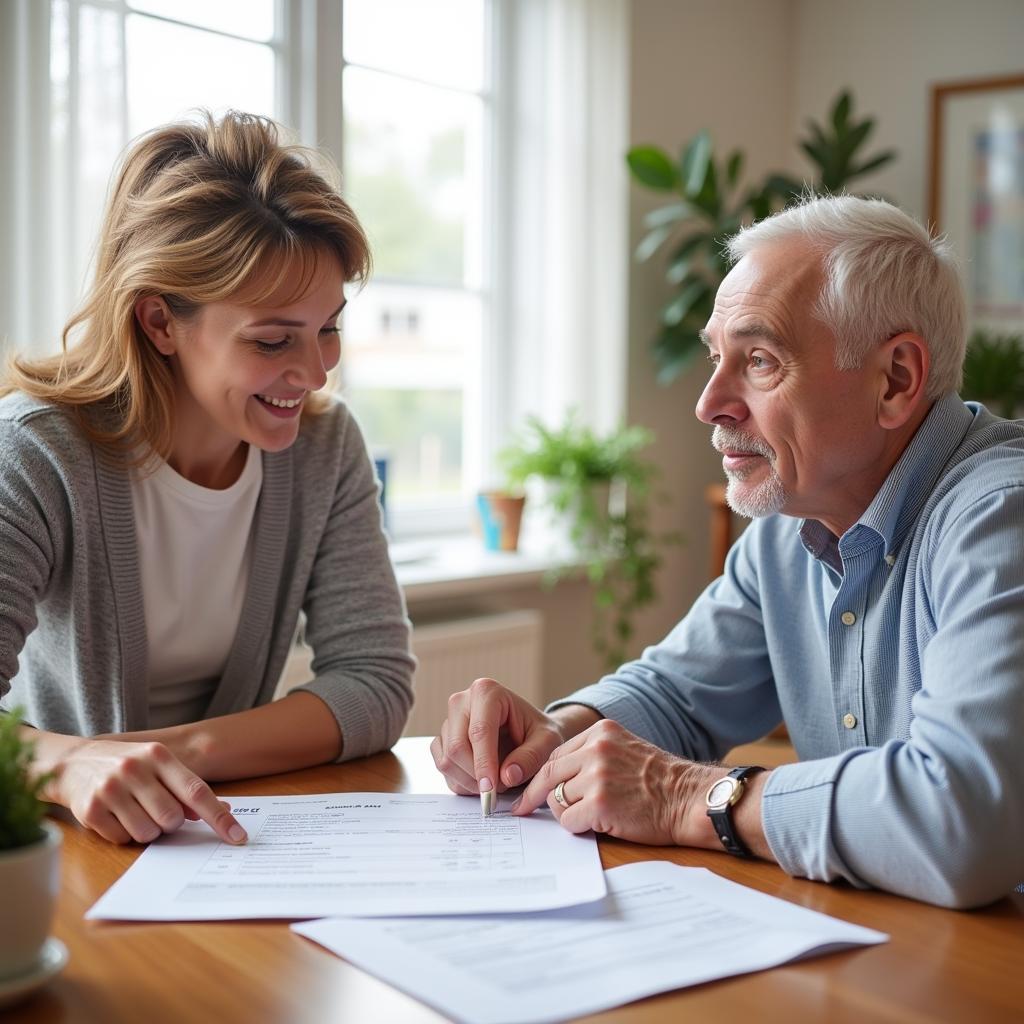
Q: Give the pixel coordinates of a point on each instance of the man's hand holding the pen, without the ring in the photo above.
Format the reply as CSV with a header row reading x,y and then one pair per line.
x,y
493,740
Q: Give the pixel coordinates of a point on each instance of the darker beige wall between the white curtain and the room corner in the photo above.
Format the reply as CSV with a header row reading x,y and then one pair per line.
x,y
722,65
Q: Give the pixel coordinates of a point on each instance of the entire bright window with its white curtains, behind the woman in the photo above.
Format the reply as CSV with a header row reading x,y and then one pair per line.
x,y
482,146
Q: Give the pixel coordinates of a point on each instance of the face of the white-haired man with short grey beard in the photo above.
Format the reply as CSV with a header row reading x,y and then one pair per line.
x,y
797,436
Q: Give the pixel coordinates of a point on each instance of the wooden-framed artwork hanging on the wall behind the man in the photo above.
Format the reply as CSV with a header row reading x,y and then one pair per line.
x,y
976,193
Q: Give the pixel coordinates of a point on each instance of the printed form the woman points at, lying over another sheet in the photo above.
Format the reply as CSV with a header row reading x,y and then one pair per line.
x,y
359,854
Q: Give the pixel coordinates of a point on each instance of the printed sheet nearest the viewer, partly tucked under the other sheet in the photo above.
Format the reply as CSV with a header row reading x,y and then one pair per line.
x,y
661,927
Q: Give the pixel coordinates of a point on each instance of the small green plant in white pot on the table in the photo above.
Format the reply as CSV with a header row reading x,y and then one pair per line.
x,y
29,869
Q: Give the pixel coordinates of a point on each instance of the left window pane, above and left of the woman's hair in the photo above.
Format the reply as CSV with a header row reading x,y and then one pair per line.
x,y
118,69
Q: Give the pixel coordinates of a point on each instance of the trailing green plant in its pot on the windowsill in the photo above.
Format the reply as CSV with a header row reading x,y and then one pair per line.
x,y
601,489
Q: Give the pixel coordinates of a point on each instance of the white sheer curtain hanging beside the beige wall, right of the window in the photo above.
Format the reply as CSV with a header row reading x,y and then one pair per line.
x,y
563,239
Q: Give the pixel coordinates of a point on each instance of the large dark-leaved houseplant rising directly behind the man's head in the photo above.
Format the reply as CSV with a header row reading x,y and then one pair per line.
x,y
708,205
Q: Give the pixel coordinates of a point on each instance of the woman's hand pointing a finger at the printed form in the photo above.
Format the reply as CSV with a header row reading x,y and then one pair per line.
x,y
137,791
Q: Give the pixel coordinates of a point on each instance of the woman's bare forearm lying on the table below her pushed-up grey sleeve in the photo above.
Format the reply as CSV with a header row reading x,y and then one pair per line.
x,y
298,732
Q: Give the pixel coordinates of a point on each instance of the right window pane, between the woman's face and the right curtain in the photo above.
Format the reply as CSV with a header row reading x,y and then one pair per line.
x,y
417,116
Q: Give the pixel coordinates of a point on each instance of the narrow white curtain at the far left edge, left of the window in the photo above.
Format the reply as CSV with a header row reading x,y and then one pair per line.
x,y
31,311
